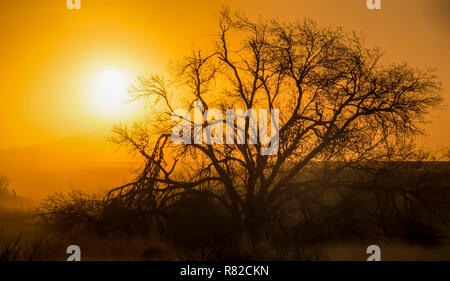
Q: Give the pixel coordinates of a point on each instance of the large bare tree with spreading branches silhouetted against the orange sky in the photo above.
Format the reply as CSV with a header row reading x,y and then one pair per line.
x,y
338,104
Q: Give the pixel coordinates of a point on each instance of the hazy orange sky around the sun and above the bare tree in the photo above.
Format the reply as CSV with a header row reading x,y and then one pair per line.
x,y
51,56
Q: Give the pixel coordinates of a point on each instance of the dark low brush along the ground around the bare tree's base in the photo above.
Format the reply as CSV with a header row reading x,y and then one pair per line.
x,y
382,201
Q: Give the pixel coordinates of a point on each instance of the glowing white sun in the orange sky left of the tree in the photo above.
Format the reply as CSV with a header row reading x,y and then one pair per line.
x,y
110,93
